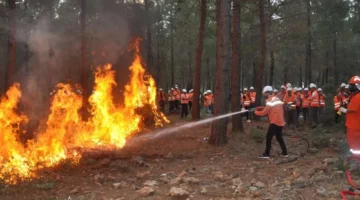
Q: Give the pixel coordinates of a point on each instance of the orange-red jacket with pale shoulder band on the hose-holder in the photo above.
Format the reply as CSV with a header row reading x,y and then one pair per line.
x,y
274,109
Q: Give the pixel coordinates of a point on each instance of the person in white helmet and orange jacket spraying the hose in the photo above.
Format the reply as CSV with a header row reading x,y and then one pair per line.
x,y
274,110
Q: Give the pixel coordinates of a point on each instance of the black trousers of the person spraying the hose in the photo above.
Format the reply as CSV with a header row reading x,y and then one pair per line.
x,y
277,131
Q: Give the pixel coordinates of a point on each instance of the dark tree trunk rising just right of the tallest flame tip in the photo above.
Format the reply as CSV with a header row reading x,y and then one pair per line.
x,y
148,38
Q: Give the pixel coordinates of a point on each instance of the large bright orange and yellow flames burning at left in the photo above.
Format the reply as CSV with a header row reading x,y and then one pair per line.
x,y
66,132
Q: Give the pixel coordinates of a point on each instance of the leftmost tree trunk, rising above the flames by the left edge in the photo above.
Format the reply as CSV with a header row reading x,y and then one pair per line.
x,y
11,43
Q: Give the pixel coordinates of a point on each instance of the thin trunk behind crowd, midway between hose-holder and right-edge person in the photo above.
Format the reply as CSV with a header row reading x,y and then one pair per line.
x,y
308,45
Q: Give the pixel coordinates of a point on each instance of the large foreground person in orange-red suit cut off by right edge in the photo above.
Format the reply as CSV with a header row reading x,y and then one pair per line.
x,y
353,116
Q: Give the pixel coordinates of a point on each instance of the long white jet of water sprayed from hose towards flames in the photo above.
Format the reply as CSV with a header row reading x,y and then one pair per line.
x,y
167,131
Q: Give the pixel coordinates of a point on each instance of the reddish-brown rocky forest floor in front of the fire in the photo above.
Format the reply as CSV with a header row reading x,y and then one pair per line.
x,y
184,166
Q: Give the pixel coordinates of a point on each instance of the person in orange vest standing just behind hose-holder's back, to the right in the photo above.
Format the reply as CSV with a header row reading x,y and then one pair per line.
x,y
290,107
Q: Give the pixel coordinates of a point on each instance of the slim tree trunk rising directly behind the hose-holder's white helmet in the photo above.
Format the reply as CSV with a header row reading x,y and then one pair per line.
x,y
260,71
